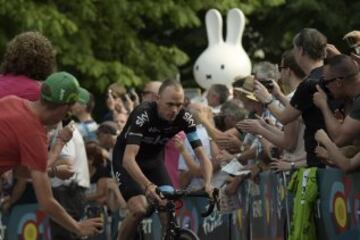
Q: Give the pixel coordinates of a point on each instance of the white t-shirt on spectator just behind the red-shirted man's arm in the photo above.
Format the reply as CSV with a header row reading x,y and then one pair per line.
x,y
75,150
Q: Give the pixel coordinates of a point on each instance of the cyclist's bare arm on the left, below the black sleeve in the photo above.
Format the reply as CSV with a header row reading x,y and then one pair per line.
x,y
131,166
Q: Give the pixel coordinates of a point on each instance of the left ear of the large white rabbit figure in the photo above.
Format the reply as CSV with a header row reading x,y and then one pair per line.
x,y
213,21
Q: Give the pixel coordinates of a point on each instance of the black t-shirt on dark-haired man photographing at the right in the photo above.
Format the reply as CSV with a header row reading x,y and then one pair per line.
x,y
312,116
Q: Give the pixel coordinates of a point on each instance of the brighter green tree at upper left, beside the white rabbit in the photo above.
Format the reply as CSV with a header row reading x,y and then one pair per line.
x,y
114,40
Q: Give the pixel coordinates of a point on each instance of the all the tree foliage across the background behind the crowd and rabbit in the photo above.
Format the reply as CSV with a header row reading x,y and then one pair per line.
x,y
134,41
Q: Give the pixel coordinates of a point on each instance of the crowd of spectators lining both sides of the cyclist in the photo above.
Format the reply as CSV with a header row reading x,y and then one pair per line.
x,y
301,112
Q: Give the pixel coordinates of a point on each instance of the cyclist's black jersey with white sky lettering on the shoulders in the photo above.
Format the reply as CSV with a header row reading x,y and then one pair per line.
x,y
145,128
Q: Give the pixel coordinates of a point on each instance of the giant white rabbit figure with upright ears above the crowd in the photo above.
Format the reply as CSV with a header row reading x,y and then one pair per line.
x,y
222,62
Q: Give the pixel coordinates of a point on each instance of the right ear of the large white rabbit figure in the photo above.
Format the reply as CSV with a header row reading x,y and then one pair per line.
x,y
235,26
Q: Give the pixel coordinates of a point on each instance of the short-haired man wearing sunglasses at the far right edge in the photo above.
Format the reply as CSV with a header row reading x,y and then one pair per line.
x,y
344,82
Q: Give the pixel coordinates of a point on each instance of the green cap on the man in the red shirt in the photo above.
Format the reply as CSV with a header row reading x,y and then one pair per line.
x,y
62,88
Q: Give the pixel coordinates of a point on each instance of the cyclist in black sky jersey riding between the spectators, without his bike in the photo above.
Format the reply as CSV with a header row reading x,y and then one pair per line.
x,y
138,154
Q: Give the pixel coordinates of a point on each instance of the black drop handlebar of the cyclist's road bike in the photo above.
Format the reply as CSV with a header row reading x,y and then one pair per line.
x,y
174,195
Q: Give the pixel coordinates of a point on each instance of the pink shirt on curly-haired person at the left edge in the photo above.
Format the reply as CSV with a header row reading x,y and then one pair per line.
x,y
19,85
